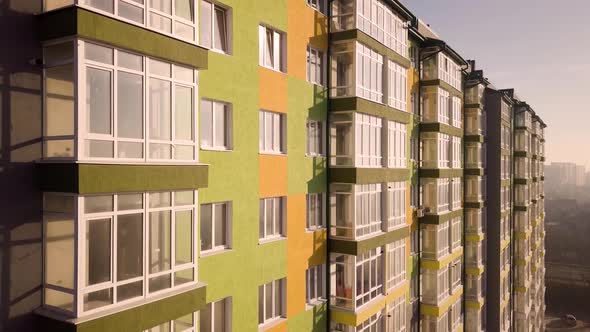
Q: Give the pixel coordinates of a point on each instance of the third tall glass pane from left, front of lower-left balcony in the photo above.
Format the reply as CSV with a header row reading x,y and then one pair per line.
x,y
160,247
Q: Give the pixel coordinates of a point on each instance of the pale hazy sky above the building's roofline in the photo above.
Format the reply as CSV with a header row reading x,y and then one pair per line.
x,y
541,48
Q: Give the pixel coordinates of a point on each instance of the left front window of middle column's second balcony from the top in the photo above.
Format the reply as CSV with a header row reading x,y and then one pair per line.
x,y
369,75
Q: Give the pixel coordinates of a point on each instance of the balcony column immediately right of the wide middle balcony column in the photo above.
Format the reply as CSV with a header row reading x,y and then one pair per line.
x,y
441,181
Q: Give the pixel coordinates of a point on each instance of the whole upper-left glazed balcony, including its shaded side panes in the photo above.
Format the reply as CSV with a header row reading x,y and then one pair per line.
x,y
104,104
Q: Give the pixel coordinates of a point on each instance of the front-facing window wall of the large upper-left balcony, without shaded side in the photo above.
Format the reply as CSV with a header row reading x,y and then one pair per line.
x,y
117,123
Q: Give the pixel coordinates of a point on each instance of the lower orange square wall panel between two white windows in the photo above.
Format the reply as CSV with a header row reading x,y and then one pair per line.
x,y
272,175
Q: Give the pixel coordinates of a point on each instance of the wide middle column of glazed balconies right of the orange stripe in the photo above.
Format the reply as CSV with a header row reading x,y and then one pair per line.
x,y
370,125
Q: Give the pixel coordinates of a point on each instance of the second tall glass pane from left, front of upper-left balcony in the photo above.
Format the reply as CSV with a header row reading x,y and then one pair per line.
x,y
130,105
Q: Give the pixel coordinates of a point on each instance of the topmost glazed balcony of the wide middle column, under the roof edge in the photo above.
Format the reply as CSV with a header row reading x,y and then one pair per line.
x,y
373,17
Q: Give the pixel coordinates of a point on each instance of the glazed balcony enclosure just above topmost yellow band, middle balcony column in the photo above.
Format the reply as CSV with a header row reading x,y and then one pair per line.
x,y
356,280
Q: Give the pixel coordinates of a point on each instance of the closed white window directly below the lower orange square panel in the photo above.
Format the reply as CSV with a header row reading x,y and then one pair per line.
x,y
272,215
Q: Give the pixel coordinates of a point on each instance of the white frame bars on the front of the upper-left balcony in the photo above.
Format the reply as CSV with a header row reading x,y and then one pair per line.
x,y
83,135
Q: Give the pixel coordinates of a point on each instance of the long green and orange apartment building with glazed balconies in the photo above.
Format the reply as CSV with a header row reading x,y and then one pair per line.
x,y
260,165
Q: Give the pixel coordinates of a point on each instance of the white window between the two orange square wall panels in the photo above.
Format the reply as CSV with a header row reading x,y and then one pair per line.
x,y
272,137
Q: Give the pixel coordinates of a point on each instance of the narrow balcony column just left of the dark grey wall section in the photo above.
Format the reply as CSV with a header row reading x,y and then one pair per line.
x,y
475,162
